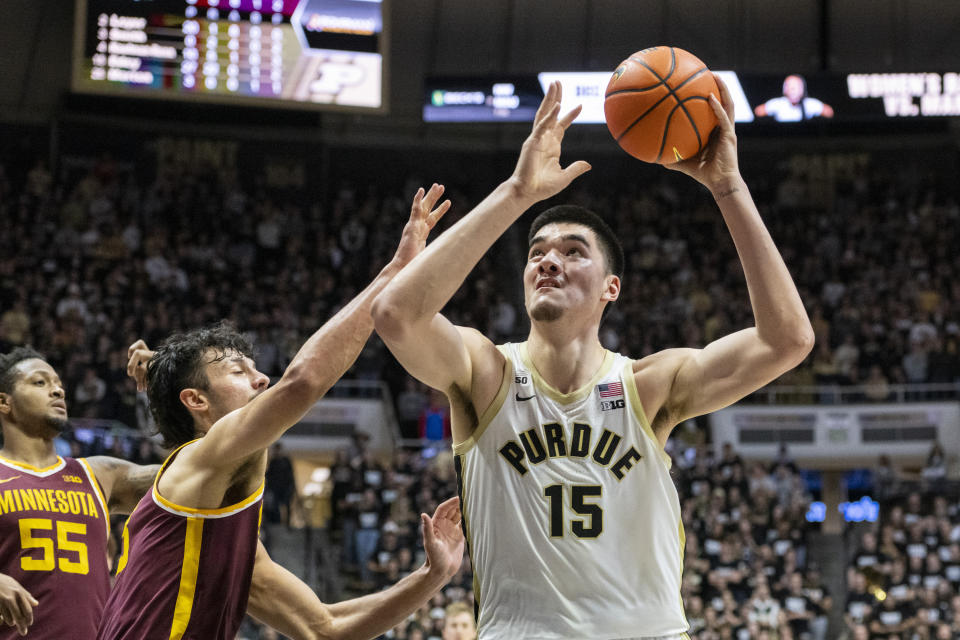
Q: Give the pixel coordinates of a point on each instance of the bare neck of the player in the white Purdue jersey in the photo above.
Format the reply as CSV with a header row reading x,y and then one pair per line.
x,y
565,364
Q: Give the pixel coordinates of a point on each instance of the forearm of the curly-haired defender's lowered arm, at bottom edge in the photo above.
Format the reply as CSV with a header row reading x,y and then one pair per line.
x,y
373,615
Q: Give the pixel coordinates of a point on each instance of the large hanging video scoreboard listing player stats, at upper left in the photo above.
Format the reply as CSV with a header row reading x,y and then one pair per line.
x,y
280,53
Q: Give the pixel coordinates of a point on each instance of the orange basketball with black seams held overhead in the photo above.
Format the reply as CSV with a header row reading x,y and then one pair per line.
x,y
657,105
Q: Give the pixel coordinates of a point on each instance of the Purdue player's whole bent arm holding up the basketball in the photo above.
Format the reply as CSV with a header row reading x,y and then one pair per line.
x,y
704,380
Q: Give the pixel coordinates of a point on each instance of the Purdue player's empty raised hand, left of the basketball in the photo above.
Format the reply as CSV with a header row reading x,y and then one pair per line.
x,y
538,174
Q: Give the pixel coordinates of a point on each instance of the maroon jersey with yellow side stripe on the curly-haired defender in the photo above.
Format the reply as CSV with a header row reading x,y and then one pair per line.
x,y
185,573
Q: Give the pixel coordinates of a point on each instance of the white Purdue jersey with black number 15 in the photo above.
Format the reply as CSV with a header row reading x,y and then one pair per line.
x,y
572,518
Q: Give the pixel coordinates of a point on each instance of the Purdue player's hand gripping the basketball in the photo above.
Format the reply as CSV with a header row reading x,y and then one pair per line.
x,y
716,165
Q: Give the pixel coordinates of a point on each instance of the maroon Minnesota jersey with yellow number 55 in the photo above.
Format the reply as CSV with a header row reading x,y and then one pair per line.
x,y
54,528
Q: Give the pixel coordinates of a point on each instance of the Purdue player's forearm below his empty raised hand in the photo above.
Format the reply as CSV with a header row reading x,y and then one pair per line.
x,y
430,280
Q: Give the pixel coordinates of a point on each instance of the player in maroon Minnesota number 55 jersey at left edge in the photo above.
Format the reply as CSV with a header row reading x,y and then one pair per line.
x,y
54,512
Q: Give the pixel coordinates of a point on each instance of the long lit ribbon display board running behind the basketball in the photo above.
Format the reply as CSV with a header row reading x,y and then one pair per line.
x,y
784,100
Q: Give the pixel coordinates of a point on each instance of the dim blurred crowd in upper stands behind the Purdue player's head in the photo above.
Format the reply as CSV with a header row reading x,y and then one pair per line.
x,y
96,255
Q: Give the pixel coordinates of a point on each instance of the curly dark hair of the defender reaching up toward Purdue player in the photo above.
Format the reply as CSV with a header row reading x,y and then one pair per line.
x,y
178,364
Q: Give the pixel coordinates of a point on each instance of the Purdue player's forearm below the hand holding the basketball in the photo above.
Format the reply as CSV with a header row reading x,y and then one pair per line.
x,y
780,316
